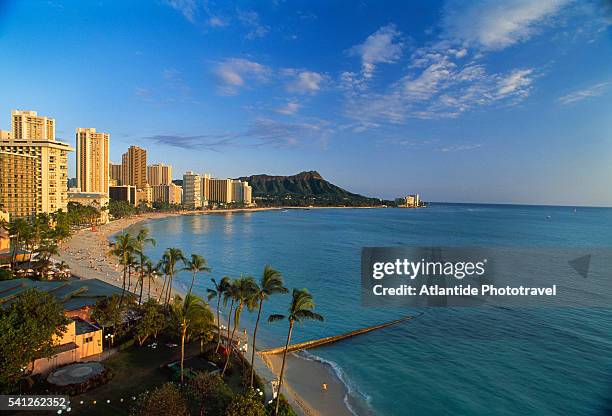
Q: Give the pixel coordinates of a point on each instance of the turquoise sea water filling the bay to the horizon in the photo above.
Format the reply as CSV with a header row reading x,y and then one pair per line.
x,y
459,361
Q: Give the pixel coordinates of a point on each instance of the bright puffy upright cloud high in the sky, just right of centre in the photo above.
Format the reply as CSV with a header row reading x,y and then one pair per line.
x,y
382,46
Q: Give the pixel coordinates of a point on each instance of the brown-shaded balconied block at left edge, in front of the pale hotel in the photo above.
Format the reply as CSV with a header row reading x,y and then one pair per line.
x,y
17,184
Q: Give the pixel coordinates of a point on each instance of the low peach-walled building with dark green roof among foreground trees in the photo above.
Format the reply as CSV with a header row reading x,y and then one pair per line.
x,y
83,338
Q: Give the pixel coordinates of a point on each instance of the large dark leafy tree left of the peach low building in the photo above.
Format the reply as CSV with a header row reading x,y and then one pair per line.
x,y
28,329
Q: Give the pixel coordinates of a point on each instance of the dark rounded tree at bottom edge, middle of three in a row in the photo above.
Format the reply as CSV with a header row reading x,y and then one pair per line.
x,y
210,393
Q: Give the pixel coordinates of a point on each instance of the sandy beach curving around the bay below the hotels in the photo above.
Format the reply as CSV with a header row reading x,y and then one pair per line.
x,y
86,252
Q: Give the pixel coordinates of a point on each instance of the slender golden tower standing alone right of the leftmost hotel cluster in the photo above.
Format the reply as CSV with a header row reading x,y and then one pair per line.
x,y
93,160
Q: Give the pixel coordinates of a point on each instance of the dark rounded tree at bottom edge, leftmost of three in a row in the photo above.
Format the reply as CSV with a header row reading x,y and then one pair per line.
x,y
163,401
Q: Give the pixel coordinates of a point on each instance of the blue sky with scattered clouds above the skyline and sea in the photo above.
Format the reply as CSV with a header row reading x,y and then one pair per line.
x,y
480,101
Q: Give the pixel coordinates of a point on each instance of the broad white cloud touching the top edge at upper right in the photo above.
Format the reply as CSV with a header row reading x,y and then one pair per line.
x,y
495,25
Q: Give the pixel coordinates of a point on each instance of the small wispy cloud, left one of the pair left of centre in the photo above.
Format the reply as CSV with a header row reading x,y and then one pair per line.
x,y
233,74
